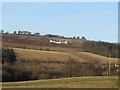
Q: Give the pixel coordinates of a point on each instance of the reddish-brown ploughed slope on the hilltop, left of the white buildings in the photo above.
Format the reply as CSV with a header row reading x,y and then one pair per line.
x,y
25,39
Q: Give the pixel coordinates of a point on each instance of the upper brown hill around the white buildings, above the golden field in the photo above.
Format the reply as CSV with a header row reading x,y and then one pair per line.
x,y
36,42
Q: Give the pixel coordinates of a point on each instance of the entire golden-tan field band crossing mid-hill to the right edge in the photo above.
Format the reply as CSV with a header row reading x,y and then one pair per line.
x,y
28,54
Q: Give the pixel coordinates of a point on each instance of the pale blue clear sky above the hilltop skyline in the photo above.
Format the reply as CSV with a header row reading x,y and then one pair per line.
x,y
95,20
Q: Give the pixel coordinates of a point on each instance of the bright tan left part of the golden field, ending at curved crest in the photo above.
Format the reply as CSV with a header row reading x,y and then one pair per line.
x,y
42,55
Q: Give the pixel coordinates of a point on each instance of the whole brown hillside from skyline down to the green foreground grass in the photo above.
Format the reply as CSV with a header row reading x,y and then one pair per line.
x,y
42,59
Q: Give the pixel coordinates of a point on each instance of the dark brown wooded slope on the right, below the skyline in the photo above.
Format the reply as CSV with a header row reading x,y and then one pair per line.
x,y
102,48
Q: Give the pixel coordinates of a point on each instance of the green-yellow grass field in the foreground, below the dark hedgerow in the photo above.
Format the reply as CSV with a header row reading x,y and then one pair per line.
x,y
77,82
